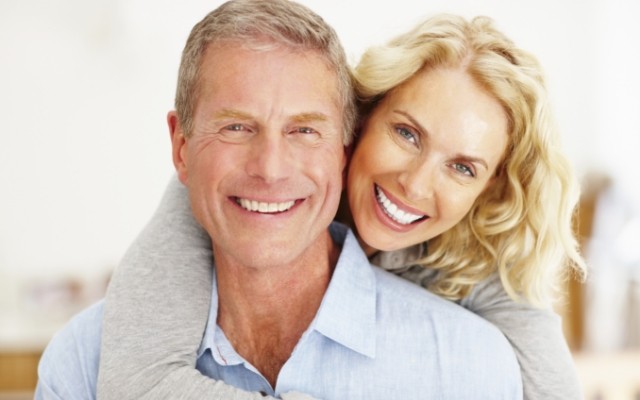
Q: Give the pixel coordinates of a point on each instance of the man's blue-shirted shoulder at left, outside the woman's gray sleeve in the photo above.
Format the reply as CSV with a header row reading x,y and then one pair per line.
x,y
68,368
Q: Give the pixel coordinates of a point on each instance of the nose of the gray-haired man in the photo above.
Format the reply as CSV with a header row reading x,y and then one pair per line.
x,y
270,158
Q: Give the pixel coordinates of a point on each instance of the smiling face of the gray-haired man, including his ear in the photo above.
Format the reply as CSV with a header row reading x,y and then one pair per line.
x,y
264,164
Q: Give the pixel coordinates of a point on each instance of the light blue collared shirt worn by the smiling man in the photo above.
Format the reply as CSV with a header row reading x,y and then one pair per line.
x,y
375,336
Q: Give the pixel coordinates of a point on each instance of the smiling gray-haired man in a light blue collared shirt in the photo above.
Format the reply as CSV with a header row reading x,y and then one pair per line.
x,y
263,114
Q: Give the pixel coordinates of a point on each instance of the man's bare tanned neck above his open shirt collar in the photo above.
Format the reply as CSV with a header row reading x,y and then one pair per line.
x,y
265,311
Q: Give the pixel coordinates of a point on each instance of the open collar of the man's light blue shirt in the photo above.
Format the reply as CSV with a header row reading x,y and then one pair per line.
x,y
347,314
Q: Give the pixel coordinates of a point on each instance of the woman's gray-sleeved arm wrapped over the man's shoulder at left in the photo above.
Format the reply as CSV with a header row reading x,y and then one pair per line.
x,y
156,310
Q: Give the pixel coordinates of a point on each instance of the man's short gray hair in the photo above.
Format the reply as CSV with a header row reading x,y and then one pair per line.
x,y
259,23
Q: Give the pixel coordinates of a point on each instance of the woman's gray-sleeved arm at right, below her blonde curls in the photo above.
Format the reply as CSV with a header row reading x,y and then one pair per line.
x,y
548,371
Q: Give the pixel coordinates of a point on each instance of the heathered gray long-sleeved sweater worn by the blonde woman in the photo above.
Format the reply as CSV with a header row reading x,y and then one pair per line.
x,y
158,301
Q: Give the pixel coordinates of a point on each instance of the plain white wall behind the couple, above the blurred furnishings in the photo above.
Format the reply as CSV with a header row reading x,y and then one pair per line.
x,y
85,87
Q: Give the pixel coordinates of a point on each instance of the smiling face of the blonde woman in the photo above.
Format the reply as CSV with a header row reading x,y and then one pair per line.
x,y
426,152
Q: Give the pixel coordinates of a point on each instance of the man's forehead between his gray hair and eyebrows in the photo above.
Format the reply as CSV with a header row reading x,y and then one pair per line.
x,y
241,83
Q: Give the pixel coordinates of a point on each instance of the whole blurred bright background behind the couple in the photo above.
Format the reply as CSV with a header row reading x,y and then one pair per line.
x,y
85,152
